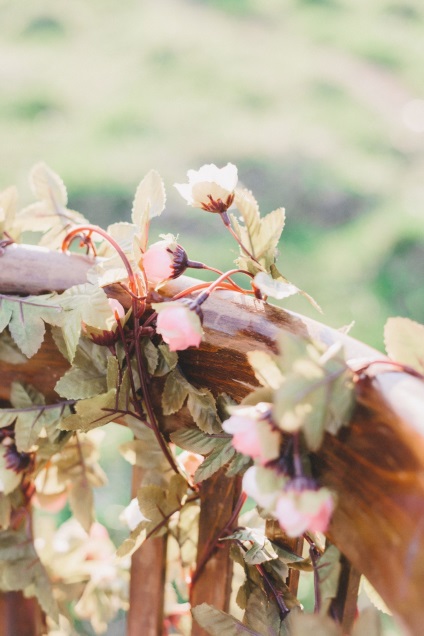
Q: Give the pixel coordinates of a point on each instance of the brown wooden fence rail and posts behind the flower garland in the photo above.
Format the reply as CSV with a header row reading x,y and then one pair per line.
x,y
375,466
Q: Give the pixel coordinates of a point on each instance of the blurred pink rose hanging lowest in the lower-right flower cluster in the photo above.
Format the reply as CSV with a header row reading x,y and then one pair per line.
x,y
299,511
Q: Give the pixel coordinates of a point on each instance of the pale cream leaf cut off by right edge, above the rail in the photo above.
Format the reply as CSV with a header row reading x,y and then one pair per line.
x,y
404,340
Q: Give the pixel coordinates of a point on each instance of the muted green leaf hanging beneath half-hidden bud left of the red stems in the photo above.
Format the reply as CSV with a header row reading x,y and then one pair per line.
x,y
87,376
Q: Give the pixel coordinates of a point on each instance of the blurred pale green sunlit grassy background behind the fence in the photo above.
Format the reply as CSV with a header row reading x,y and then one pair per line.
x,y
320,104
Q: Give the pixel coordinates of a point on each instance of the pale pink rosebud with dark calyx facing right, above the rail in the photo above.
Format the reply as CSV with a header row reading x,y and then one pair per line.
x,y
163,260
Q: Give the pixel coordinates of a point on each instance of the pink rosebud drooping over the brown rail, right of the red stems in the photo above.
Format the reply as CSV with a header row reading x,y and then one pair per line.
x,y
179,326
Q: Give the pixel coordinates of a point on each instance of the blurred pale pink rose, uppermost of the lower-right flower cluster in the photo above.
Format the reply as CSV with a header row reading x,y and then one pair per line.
x,y
252,432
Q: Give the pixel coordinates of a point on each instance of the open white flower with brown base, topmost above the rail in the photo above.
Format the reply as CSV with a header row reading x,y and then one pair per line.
x,y
210,188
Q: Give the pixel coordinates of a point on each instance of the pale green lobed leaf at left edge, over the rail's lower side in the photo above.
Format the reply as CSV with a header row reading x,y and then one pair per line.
x,y
26,319
